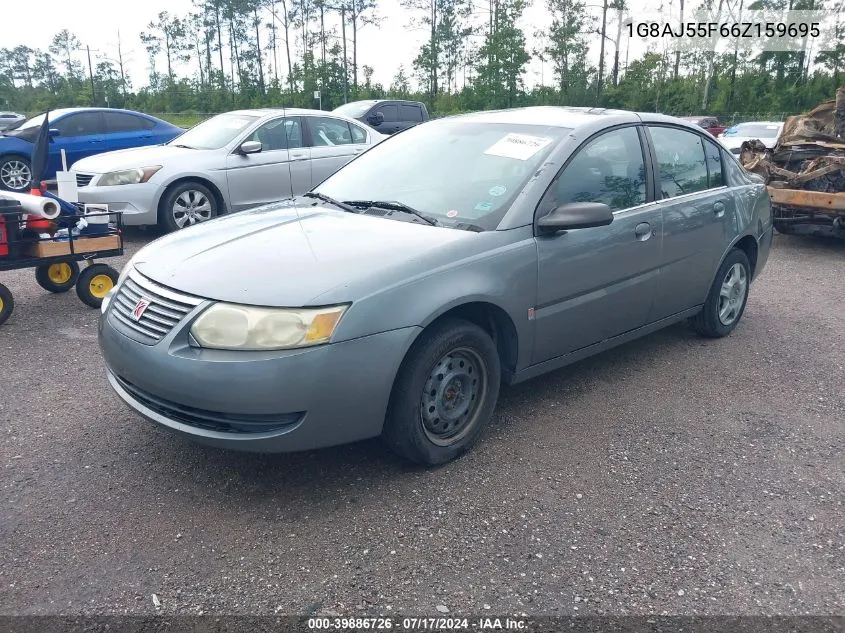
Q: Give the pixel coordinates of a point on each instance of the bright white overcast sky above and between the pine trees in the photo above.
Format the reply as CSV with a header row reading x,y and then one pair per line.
x,y
97,24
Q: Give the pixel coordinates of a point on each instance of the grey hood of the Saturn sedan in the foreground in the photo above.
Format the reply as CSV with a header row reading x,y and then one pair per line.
x,y
284,255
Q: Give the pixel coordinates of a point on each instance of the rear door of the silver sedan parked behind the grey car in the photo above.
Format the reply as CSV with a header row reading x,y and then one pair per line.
x,y
334,142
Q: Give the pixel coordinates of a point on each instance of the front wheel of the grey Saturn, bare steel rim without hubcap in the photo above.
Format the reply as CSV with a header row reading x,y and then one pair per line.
x,y
412,428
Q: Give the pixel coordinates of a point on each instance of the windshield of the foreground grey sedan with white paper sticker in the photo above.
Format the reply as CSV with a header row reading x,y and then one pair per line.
x,y
453,171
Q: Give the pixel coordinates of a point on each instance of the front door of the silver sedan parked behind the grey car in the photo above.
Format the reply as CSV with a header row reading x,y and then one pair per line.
x,y
273,173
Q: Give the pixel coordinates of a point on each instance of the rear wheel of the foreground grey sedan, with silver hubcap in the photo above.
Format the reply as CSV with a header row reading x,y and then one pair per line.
x,y
710,322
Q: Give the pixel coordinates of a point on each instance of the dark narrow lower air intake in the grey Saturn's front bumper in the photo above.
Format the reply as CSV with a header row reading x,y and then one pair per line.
x,y
210,420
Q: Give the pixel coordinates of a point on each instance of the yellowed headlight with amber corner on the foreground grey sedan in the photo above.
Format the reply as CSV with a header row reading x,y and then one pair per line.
x,y
232,326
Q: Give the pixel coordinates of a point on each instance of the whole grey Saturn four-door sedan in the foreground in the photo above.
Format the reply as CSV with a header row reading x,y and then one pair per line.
x,y
396,297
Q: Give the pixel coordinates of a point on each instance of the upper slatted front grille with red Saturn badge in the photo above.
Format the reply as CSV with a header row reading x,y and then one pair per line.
x,y
164,310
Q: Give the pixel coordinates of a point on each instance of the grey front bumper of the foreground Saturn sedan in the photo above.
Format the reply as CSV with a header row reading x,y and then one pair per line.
x,y
257,401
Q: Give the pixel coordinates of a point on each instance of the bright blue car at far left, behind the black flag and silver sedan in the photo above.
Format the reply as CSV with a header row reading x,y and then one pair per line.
x,y
80,132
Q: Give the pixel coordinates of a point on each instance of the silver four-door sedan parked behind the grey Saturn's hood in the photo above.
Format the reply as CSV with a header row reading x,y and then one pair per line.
x,y
229,163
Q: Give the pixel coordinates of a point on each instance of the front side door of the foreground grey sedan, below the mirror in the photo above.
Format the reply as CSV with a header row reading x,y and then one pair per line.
x,y
597,283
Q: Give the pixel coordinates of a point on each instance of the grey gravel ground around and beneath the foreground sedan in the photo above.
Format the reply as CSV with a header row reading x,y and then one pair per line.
x,y
672,475
